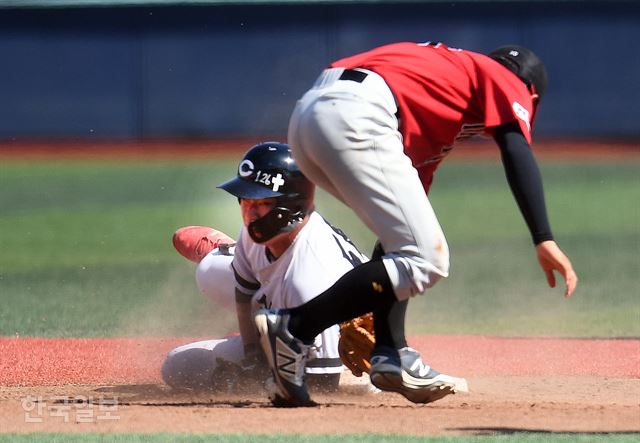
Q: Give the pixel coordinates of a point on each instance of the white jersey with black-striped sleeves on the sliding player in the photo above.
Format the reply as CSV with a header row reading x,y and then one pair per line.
x,y
319,256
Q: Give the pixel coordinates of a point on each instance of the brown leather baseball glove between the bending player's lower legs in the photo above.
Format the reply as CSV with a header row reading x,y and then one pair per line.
x,y
357,339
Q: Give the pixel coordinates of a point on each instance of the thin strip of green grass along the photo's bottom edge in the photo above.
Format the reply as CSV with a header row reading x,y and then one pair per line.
x,y
517,437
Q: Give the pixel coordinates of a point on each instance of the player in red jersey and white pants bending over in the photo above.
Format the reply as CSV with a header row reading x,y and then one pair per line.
x,y
372,131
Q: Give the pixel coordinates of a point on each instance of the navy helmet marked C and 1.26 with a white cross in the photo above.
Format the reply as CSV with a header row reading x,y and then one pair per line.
x,y
268,170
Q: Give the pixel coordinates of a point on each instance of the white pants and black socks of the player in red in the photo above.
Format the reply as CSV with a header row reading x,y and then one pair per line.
x,y
345,138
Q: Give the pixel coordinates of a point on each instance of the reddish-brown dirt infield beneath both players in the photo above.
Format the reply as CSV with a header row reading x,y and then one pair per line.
x,y
534,385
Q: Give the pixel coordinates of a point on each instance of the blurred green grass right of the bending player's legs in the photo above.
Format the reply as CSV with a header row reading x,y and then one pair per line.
x,y
496,286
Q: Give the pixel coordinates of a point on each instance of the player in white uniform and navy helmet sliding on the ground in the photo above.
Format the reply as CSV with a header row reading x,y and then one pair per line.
x,y
286,253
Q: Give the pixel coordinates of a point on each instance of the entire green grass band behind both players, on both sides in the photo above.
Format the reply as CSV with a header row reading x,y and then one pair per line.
x,y
85,250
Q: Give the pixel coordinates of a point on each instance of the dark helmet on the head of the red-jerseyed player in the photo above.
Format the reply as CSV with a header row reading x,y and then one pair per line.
x,y
523,63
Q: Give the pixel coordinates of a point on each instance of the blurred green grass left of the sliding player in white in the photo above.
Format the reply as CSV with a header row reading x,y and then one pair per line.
x,y
85,248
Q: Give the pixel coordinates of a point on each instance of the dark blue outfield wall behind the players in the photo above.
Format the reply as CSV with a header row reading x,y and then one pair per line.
x,y
228,70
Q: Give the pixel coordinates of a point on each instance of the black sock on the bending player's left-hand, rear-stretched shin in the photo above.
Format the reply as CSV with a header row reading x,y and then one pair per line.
x,y
366,288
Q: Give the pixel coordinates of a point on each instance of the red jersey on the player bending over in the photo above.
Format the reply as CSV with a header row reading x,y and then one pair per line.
x,y
445,95
